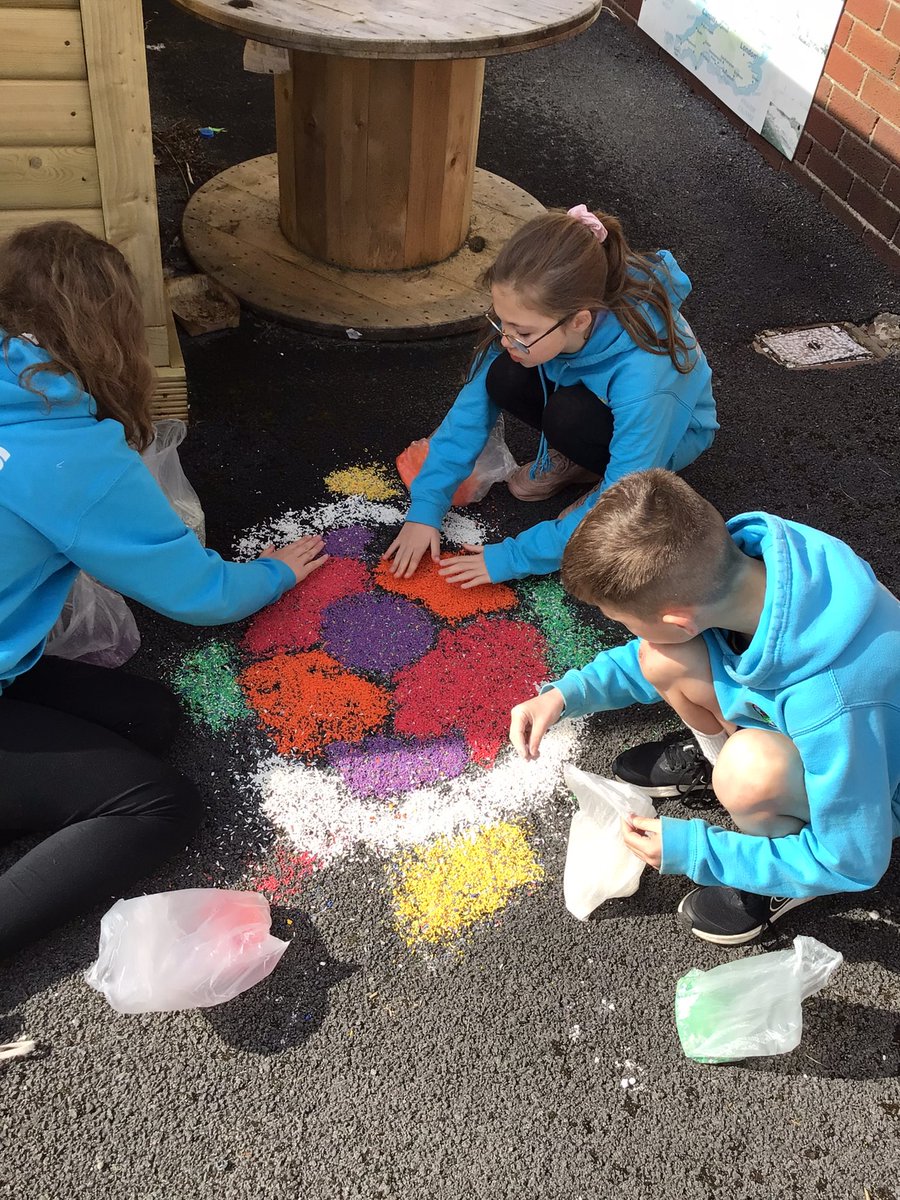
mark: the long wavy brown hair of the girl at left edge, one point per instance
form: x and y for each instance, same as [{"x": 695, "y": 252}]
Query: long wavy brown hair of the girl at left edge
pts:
[{"x": 77, "y": 297}]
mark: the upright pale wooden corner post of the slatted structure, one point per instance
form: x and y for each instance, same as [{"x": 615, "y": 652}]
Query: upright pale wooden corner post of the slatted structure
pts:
[{"x": 117, "y": 77}]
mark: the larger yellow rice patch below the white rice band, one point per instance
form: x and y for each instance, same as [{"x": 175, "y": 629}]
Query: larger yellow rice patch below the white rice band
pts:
[{"x": 449, "y": 886}]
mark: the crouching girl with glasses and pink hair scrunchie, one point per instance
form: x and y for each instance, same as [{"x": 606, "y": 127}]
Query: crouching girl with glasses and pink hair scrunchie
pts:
[{"x": 587, "y": 345}]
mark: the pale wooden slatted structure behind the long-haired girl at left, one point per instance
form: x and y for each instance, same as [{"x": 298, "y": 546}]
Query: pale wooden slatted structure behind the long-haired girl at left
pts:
[{"x": 76, "y": 142}]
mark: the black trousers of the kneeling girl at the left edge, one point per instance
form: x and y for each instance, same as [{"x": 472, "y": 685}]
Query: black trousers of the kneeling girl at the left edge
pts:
[{"x": 79, "y": 761}]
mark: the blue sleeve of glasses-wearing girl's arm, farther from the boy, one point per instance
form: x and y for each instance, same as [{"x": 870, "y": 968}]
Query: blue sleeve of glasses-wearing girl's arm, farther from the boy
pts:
[{"x": 454, "y": 448}]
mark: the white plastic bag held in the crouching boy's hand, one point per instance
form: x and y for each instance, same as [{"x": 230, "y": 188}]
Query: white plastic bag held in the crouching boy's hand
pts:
[{"x": 598, "y": 863}]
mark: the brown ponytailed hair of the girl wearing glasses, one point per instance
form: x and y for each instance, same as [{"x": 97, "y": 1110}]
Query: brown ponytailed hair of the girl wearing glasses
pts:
[{"x": 559, "y": 267}]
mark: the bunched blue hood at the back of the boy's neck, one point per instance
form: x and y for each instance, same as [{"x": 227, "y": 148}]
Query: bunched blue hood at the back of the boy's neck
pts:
[{"x": 819, "y": 597}]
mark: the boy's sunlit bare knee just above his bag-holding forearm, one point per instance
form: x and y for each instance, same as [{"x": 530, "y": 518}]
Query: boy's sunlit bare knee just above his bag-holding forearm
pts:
[{"x": 758, "y": 770}]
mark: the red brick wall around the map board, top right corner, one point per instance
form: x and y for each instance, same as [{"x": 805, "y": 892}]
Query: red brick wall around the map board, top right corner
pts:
[{"x": 850, "y": 149}]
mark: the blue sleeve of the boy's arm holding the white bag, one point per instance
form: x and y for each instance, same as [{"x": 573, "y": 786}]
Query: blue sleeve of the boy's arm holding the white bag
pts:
[{"x": 845, "y": 848}]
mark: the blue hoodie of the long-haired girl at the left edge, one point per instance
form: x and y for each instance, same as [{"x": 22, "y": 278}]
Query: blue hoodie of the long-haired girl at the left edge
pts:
[{"x": 75, "y": 496}]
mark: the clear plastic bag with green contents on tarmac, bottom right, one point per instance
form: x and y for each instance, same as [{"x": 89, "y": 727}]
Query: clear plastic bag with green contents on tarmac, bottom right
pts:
[{"x": 752, "y": 1007}]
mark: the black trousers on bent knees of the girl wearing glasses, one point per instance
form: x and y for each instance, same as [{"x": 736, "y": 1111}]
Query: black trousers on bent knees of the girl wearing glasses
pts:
[{"x": 574, "y": 421}]
